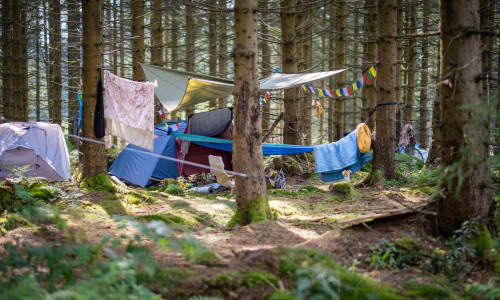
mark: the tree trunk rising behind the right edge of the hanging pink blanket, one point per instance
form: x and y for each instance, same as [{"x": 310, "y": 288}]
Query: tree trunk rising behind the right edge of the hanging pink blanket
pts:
[{"x": 138, "y": 49}]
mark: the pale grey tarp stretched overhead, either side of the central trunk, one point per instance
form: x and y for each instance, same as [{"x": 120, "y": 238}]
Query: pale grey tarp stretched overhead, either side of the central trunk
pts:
[{"x": 178, "y": 89}]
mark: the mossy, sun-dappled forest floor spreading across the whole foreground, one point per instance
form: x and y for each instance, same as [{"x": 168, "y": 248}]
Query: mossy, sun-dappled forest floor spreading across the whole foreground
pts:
[{"x": 310, "y": 251}]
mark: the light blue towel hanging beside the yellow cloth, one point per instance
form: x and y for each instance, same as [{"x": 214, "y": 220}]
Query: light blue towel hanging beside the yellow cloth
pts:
[{"x": 331, "y": 159}]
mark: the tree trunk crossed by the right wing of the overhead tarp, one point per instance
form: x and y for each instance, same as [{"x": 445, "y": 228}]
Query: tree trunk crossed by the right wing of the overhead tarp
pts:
[{"x": 291, "y": 127}]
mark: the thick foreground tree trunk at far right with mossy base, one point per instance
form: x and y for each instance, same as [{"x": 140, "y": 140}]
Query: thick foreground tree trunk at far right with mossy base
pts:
[{"x": 465, "y": 190}]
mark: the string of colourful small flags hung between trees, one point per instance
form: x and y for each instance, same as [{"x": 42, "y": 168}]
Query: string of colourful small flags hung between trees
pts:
[{"x": 343, "y": 92}]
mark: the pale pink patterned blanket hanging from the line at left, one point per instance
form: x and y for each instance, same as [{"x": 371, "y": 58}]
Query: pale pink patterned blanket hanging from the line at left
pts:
[{"x": 129, "y": 110}]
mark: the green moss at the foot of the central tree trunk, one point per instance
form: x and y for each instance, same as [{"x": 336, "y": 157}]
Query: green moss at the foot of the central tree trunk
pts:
[{"x": 256, "y": 210}]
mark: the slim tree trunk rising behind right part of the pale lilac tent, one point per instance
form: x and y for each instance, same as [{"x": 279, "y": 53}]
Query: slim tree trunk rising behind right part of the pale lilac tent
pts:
[{"x": 55, "y": 49}]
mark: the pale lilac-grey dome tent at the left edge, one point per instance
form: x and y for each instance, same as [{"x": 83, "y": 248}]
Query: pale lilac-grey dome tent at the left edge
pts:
[{"x": 39, "y": 146}]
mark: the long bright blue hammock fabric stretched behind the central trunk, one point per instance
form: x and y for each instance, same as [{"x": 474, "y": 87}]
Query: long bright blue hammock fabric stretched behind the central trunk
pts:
[{"x": 227, "y": 145}]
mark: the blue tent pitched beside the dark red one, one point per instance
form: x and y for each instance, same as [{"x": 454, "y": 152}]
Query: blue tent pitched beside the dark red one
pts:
[{"x": 136, "y": 165}]
